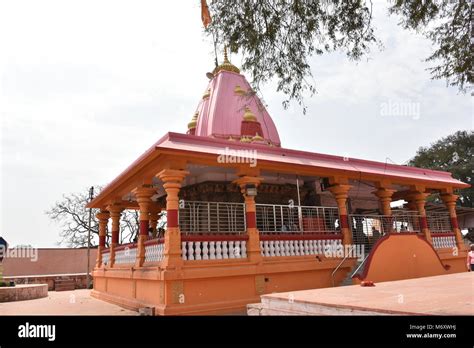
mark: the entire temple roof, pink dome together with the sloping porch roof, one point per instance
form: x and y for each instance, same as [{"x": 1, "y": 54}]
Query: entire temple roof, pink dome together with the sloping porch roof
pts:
[{"x": 230, "y": 115}]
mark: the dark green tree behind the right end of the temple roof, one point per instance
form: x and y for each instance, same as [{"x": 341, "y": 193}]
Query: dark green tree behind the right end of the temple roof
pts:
[{"x": 454, "y": 154}]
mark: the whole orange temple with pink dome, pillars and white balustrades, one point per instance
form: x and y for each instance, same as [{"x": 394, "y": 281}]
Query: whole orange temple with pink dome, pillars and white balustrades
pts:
[{"x": 246, "y": 216}]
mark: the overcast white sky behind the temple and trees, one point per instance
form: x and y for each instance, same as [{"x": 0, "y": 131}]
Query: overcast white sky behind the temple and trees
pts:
[{"x": 87, "y": 86}]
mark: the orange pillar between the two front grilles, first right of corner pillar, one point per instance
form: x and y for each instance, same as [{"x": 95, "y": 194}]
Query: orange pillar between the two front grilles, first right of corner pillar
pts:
[{"x": 253, "y": 243}]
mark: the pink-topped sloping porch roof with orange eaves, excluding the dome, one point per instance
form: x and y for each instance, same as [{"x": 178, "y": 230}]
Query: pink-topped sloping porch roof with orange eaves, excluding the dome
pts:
[{"x": 295, "y": 160}]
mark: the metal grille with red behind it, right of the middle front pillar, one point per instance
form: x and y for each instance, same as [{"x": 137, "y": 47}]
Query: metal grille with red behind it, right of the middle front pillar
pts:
[{"x": 284, "y": 218}]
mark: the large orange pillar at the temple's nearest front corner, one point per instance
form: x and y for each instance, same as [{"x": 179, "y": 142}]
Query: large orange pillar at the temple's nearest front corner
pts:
[{"x": 172, "y": 179}]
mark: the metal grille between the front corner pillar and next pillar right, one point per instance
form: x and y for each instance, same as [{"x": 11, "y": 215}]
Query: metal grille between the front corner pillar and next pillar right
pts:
[{"x": 212, "y": 217}]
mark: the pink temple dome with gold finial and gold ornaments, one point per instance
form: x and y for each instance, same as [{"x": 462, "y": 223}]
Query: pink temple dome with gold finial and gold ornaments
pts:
[{"x": 230, "y": 109}]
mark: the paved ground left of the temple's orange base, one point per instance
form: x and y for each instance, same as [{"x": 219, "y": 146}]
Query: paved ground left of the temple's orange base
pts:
[{"x": 77, "y": 302}]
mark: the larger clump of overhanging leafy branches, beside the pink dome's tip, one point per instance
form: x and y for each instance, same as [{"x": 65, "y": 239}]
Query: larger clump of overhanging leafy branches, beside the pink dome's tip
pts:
[{"x": 276, "y": 38}]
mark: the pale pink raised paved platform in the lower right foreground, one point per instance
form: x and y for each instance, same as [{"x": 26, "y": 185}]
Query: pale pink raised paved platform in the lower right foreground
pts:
[{"x": 451, "y": 294}]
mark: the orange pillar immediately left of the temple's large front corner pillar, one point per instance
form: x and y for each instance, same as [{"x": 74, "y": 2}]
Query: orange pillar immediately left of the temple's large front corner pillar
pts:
[{"x": 143, "y": 194}]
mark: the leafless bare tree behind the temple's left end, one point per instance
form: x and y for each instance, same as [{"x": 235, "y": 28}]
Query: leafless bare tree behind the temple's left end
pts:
[{"x": 71, "y": 213}]
